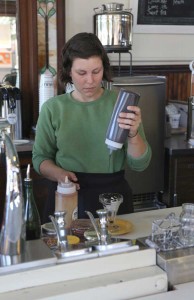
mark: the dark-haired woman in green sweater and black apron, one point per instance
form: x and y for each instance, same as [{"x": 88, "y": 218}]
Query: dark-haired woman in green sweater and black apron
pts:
[{"x": 71, "y": 130}]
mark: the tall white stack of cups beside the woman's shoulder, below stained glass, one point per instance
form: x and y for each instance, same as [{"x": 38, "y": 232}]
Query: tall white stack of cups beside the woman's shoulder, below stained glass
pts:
[{"x": 46, "y": 89}]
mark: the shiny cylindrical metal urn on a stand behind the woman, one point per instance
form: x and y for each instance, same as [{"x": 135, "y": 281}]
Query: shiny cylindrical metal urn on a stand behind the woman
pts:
[{"x": 113, "y": 26}]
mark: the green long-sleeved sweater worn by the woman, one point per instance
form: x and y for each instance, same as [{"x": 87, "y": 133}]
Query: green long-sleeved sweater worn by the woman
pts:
[{"x": 72, "y": 134}]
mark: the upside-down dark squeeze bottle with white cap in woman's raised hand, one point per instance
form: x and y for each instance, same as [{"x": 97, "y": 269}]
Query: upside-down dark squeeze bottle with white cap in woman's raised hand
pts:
[{"x": 116, "y": 136}]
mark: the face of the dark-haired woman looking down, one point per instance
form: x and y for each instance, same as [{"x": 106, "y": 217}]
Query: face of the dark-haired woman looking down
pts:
[{"x": 87, "y": 76}]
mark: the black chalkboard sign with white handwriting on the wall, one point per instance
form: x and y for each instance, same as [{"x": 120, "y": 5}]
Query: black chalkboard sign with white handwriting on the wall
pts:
[{"x": 165, "y": 12}]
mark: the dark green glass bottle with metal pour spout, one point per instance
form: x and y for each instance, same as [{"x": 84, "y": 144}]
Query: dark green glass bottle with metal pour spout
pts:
[{"x": 32, "y": 217}]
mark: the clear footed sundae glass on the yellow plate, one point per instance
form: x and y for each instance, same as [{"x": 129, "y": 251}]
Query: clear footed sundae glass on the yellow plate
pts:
[{"x": 111, "y": 202}]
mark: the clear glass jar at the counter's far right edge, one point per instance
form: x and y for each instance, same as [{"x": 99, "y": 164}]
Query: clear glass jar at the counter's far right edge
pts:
[{"x": 187, "y": 225}]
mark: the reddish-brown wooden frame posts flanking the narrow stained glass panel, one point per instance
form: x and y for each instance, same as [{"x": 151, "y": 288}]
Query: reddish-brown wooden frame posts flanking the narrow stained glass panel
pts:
[{"x": 28, "y": 49}]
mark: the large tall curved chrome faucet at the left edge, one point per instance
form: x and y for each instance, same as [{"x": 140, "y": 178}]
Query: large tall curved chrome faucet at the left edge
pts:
[{"x": 12, "y": 236}]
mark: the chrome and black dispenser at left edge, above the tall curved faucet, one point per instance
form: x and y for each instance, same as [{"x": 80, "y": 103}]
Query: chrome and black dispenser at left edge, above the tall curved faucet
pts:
[{"x": 10, "y": 109}]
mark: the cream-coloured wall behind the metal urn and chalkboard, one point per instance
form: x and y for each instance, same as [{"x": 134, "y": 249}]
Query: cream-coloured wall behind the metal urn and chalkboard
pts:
[{"x": 160, "y": 46}]
